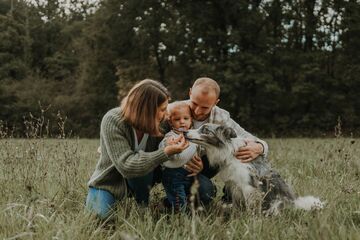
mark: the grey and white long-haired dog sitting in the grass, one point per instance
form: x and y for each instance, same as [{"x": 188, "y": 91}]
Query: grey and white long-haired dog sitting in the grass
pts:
[{"x": 253, "y": 185}]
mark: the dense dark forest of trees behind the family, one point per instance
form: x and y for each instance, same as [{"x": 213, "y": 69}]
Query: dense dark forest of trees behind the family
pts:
[{"x": 285, "y": 67}]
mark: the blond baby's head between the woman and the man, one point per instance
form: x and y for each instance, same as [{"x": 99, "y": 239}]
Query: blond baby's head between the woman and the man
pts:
[{"x": 179, "y": 115}]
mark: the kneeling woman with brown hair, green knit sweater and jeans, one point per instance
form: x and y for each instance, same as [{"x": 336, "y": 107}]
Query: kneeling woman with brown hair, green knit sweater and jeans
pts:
[{"x": 129, "y": 140}]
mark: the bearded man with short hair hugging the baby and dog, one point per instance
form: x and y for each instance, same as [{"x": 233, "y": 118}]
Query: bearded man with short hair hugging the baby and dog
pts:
[{"x": 204, "y": 96}]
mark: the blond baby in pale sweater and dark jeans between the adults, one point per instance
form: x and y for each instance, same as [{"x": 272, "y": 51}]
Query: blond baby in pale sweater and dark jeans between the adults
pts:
[{"x": 175, "y": 177}]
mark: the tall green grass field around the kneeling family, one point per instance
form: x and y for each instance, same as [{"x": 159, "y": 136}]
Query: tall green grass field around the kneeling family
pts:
[{"x": 43, "y": 189}]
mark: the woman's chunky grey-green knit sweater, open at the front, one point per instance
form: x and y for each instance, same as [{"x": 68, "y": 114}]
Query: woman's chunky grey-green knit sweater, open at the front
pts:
[{"x": 118, "y": 160}]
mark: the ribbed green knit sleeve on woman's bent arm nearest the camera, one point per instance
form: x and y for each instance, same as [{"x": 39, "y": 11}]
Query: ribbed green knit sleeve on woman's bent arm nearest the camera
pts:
[{"x": 128, "y": 162}]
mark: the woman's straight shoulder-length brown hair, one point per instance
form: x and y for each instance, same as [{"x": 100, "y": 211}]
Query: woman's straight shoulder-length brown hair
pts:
[{"x": 140, "y": 106}]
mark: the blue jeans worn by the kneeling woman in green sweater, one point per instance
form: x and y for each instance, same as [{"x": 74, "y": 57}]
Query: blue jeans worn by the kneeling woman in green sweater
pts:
[{"x": 102, "y": 202}]
